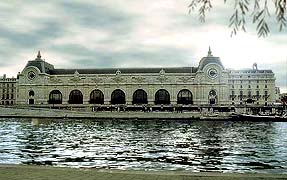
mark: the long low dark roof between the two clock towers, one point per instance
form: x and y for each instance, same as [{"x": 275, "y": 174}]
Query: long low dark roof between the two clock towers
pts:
[{"x": 123, "y": 70}]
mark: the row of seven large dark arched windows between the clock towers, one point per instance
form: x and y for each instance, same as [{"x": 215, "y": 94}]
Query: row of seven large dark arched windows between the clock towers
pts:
[{"x": 162, "y": 96}]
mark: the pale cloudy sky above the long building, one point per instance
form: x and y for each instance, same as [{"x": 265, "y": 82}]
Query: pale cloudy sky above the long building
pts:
[{"x": 131, "y": 33}]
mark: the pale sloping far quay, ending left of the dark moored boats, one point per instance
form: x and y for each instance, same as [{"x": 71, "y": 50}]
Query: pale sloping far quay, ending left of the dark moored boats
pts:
[{"x": 6, "y": 112}]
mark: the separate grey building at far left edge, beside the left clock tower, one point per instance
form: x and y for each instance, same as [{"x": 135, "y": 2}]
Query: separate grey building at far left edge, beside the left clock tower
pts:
[{"x": 7, "y": 90}]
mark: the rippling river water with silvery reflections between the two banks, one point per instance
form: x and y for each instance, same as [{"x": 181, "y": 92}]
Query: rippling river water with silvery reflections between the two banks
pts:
[{"x": 196, "y": 146}]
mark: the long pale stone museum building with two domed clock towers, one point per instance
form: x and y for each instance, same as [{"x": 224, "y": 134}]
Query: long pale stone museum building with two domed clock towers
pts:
[{"x": 210, "y": 83}]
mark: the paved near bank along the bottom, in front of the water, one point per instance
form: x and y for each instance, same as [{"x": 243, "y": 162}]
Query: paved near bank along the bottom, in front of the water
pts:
[{"x": 23, "y": 172}]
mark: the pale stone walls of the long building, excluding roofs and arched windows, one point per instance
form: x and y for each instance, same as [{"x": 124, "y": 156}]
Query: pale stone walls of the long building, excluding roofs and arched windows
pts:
[{"x": 211, "y": 77}]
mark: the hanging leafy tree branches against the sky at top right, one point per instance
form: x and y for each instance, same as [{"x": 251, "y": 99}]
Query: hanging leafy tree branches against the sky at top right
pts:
[{"x": 257, "y": 9}]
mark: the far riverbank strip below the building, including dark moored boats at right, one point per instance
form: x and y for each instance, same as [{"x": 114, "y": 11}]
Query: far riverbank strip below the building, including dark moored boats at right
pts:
[{"x": 46, "y": 113}]
